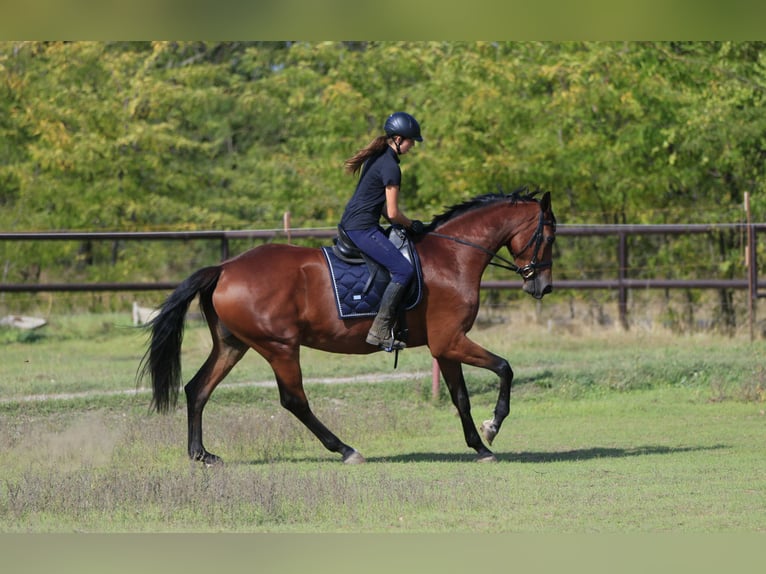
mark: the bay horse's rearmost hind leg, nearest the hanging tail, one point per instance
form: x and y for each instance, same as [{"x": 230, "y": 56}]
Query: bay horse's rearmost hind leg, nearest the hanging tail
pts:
[{"x": 227, "y": 351}]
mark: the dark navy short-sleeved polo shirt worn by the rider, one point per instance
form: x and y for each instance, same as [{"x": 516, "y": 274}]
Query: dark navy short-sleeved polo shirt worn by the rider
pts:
[{"x": 365, "y": 207}]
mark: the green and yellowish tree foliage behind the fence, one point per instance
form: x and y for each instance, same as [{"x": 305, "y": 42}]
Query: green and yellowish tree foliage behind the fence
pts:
[{"x": 198, "y": 135}]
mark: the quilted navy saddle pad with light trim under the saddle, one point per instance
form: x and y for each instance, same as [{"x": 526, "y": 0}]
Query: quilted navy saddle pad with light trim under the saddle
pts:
[{"x": 358, "y": 296}]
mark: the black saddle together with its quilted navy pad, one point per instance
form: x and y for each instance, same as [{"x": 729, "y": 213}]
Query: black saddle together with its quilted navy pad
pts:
[{"x": 358, "y": 281}]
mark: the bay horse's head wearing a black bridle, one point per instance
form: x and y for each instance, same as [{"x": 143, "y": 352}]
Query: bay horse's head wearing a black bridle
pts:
[{"x": 532, "y": 250}]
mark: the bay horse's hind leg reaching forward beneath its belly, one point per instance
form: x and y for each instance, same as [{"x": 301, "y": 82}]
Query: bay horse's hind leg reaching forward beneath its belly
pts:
[{"x": 287, "y": 370}]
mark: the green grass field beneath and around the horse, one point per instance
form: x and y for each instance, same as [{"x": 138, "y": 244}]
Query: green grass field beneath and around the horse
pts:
[{"x": 609, "y": 432}]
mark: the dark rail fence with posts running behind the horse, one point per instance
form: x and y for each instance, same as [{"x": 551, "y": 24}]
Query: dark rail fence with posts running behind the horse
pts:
[{"x": 622, "y": 283}]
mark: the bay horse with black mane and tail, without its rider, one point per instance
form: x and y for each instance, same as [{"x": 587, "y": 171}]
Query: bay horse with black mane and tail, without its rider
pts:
[{"x": 275, "y": 298}]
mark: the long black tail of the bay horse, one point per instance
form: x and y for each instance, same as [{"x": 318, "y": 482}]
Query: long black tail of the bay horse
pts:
[{"x": 162, "y": 360}]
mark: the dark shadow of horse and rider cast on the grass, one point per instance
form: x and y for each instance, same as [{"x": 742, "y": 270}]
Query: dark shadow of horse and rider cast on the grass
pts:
[{"x": 522, "y": 457}]
